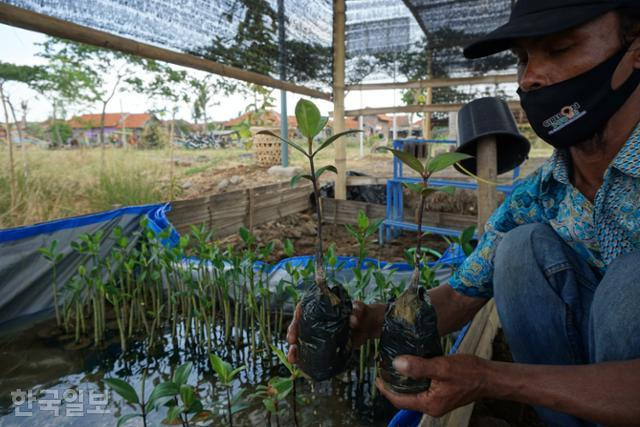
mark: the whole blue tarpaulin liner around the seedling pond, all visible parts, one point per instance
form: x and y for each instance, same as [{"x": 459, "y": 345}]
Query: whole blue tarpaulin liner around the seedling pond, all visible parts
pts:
[{"x": 25, "y": 275}]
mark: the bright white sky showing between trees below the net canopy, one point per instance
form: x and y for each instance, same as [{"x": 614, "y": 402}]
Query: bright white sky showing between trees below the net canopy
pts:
[{"x": 19, "y": 46}]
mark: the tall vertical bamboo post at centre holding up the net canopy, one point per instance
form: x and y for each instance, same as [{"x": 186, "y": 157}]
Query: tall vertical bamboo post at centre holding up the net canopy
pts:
[{"x": 338, "y": 96}]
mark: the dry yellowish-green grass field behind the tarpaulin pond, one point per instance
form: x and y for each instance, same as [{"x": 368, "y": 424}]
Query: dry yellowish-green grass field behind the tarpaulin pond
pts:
[{"x": 63, "y": 183}]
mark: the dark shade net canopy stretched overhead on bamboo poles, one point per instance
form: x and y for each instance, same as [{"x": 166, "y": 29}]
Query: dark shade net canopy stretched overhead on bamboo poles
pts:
[{"x": 403, "y": 40}]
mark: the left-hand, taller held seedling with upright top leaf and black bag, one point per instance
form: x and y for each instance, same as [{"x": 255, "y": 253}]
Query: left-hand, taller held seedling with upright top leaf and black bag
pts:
[{"x": 324, "y": 339}]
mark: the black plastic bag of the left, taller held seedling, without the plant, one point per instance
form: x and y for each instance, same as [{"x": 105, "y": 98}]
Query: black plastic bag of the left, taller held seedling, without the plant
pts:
[{"x": 324, "y": 337}]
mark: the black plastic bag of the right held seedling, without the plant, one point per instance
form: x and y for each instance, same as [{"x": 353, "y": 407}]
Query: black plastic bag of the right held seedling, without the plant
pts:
[{"x": 410, "y": 330}]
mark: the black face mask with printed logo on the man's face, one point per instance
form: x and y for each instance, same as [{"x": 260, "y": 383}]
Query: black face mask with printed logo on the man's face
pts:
[{"x": 572, "y": 111}]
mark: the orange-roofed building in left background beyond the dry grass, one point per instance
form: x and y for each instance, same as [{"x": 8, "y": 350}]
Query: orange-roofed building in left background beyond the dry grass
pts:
[{"x": 86, "y": 128}]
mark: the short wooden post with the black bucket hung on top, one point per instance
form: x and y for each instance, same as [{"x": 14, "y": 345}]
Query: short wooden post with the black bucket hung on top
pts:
[{"x": 487, "y": 161}]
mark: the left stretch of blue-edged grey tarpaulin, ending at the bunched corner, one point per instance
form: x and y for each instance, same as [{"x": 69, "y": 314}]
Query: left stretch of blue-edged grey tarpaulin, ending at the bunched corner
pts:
[{"x": 26, "y": 276}]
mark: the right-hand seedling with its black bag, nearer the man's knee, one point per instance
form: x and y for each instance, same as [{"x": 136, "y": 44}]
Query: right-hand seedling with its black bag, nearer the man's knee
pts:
[{"x": 410, "y": 323}]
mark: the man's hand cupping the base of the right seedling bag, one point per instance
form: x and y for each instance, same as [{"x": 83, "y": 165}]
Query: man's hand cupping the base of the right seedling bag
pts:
[{"x": 455, "y": 381}]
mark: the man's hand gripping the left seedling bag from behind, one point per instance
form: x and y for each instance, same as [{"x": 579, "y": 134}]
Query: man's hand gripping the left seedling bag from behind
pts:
[{"x": 365, "y": 321}]
